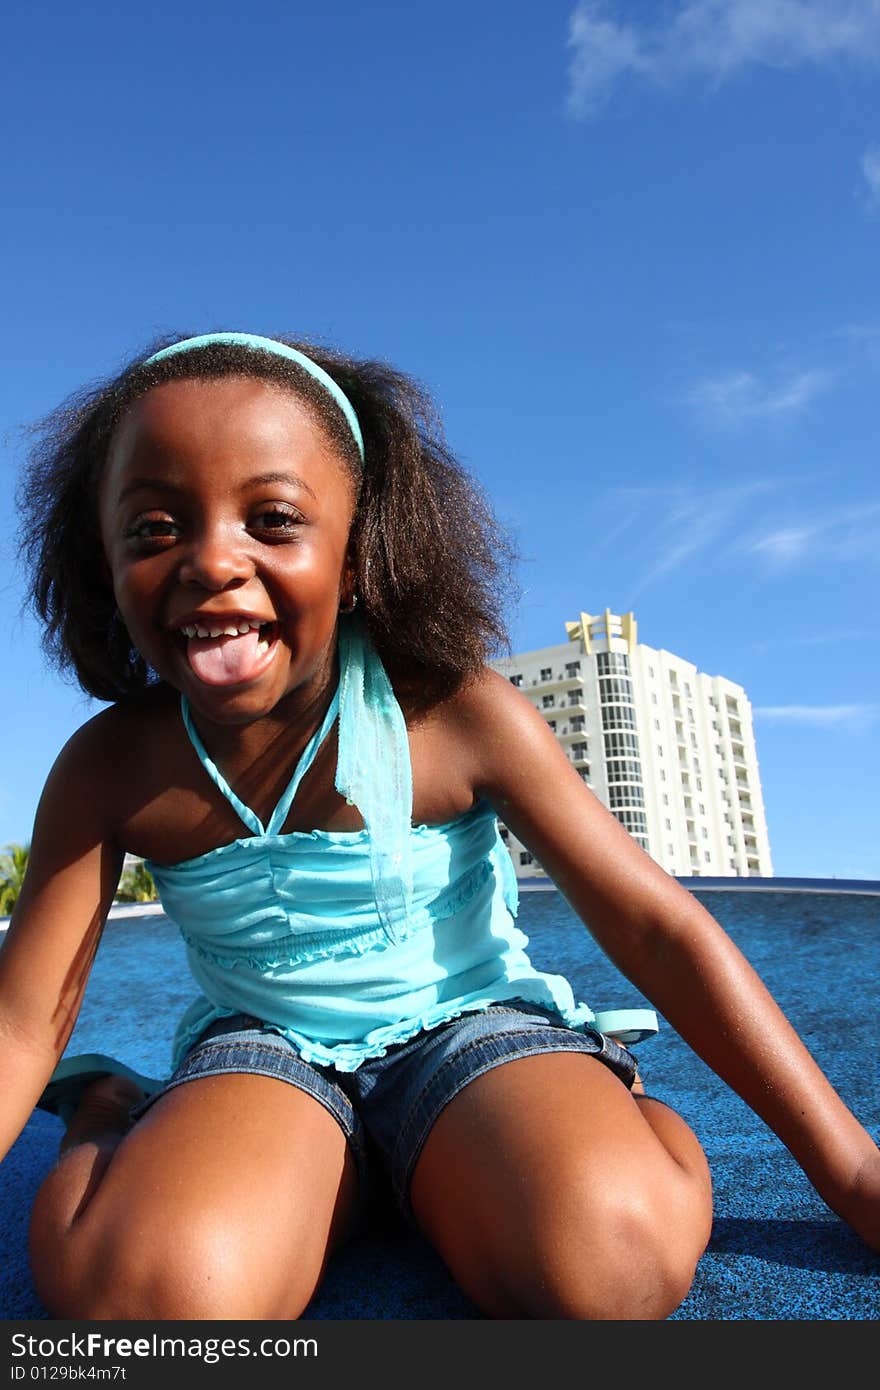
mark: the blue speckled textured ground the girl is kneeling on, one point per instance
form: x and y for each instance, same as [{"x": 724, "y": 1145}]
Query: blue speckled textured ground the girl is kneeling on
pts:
[{"x": 776, "y": 1252}]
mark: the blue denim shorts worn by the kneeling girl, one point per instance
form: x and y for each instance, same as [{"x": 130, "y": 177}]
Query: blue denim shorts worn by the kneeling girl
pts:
[{"x": 389, "y": 1106}]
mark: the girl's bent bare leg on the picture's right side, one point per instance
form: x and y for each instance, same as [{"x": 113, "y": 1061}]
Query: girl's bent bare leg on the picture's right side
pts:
[{"x": 551, "y": 1192}]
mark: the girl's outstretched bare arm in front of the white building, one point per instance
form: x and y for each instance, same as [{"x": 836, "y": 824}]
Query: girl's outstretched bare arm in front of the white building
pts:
[{"x": 662, "y": 940}]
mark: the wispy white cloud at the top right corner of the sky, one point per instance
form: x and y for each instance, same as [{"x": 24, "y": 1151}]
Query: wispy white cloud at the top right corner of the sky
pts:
[{"x": 711, "y": 40}]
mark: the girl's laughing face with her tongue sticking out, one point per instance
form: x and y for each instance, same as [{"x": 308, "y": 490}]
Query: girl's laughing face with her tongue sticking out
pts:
[{"x": 226, "y": 515}]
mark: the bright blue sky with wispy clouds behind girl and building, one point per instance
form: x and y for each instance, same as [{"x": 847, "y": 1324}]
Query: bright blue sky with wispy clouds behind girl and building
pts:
[{"x": 632, "y": 248}]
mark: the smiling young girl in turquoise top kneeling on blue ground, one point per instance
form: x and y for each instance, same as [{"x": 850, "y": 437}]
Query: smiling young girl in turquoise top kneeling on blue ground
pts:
[{"x": 265, "y": 559}]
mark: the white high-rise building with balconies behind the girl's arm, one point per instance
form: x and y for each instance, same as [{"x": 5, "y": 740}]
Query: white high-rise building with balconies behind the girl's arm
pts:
[{"x": 668, "y": 750}]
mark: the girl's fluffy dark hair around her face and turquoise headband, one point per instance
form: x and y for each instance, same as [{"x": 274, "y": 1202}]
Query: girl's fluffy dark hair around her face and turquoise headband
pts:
[{"x": 433, "y": 566}]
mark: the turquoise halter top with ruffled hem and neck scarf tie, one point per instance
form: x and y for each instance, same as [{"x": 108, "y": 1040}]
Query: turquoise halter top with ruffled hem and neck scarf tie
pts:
[{"x": 350, "y": 942}]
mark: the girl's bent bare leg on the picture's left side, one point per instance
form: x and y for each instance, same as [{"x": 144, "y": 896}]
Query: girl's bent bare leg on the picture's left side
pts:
[{"x": 223, "y": 1202}]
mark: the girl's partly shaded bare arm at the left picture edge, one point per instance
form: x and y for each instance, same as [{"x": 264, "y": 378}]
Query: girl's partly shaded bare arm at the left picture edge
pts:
[{"x": 45, "y": 960}]
